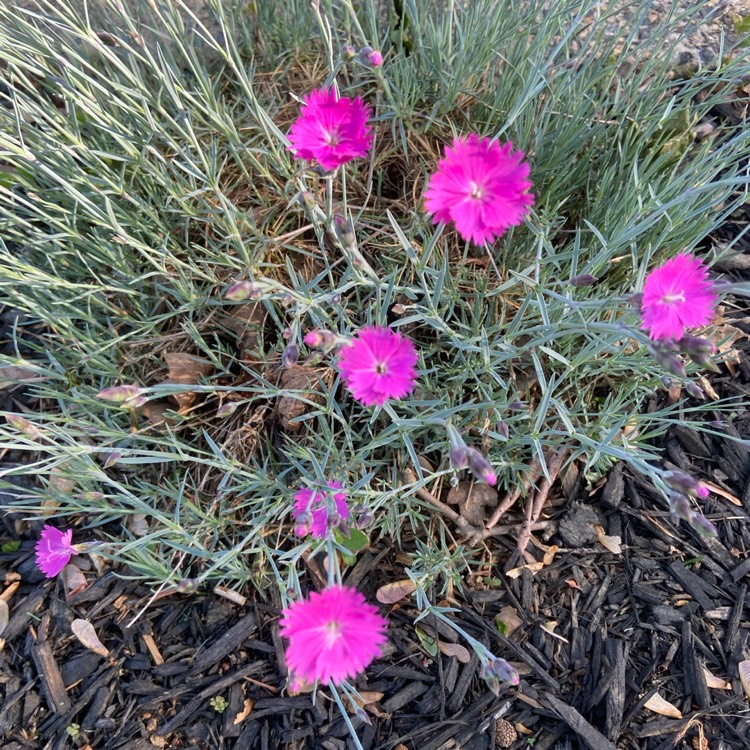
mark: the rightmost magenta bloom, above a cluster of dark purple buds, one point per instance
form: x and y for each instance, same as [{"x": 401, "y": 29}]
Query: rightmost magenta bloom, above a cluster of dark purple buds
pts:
[{"x": 677, "y": 295}]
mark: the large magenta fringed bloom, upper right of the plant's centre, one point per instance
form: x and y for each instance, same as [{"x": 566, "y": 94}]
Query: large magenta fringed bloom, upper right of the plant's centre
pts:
[{"x": 481, "y": 186}]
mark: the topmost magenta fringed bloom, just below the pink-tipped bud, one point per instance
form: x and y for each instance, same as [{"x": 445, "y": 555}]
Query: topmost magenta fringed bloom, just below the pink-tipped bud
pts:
[{"x": 331, "y": 131}]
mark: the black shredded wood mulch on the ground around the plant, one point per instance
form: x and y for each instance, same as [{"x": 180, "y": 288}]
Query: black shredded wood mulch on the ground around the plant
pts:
[{"x": 598, "y": 634}]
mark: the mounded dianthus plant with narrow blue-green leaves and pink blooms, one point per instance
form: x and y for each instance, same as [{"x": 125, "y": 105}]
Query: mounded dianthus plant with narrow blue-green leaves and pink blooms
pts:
[{"x": 243, "y": 343}]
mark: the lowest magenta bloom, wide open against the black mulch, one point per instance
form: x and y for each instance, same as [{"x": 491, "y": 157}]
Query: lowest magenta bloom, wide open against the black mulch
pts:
[{"x": 333, "y": 635}]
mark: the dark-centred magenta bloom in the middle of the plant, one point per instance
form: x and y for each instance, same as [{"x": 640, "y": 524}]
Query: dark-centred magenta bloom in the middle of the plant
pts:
[{"x": 378, "y": 365}]
